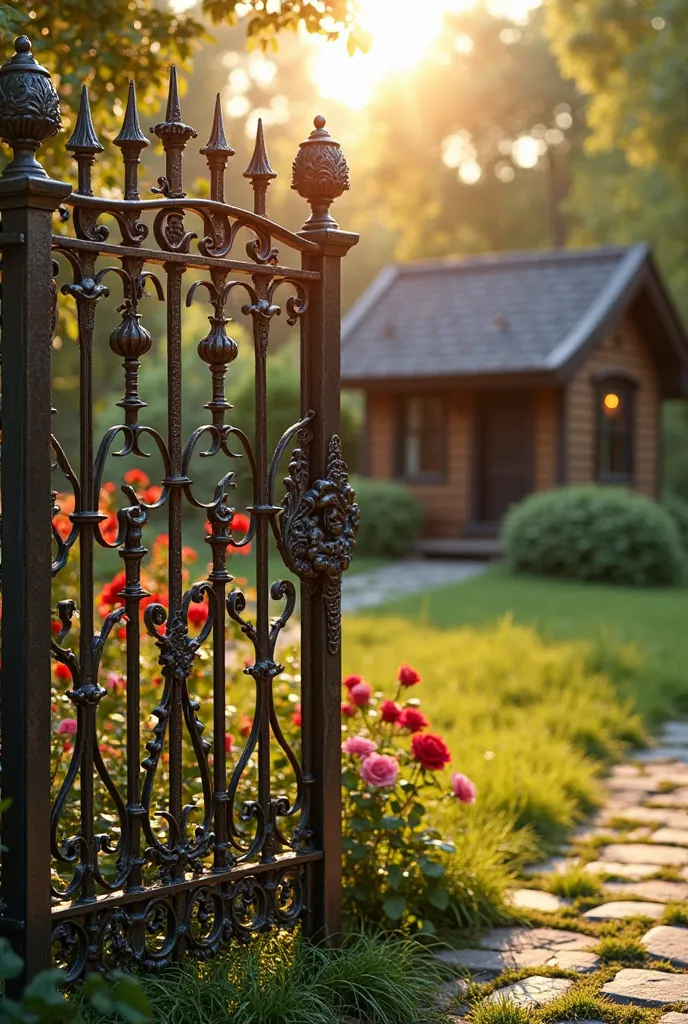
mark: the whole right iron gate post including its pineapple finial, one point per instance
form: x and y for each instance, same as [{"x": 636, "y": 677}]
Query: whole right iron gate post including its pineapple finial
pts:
[{"x": 321, "y": 175}]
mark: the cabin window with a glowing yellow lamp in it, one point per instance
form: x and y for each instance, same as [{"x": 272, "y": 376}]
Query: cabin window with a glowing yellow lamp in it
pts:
[{"x": 616, "y": 401}]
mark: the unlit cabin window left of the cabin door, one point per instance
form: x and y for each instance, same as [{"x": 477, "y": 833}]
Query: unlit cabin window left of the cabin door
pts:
[{"x": 421, "y": 442}]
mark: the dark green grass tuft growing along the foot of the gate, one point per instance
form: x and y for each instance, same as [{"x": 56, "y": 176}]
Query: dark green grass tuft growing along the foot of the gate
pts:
[{"x": 389, "y": 980}]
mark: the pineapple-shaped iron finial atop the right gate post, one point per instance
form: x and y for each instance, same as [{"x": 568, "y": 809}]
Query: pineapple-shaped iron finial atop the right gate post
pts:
[{"x": 320, "y": 174}]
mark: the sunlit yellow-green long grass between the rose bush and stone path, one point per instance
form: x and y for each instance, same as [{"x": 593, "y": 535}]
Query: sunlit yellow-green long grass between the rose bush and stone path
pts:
[{"x": 532, "y": 723}]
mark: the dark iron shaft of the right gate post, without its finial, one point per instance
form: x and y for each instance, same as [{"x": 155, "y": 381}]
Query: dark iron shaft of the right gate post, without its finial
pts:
[{"x": 321, "y": 669}]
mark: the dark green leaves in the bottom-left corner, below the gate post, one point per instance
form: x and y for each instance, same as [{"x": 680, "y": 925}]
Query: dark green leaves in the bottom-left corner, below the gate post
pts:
[{"x": 44, "y": 1003}]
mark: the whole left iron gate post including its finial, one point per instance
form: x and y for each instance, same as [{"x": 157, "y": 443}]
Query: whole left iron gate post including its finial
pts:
[{"x": 28, "y": 201}]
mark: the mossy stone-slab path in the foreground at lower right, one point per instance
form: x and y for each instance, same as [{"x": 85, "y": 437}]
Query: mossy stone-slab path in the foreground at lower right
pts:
[{"x": 626, "y": 945}]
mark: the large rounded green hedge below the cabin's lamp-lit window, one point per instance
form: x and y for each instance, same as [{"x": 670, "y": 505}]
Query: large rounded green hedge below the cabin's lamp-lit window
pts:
[{"x": 608, "y": 535}]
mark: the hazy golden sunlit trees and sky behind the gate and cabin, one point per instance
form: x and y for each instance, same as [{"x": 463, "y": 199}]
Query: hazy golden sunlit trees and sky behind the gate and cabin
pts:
[{"x": 469, "y": 127}]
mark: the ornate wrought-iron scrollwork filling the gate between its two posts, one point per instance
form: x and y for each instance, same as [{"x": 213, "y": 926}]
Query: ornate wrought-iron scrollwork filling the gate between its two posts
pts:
[{"x": 221, "y": 831}]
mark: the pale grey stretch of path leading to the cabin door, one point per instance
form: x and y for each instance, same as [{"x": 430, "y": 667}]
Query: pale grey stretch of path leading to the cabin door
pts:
[{"x": 365, "y": 590}]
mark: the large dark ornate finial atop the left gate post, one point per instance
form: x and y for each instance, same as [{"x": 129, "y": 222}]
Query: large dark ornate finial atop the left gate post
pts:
[{"x": 29, "y": 110}]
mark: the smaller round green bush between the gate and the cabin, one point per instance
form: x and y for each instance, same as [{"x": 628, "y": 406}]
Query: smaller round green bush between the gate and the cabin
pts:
[{"x": 391, "y": 518}]
